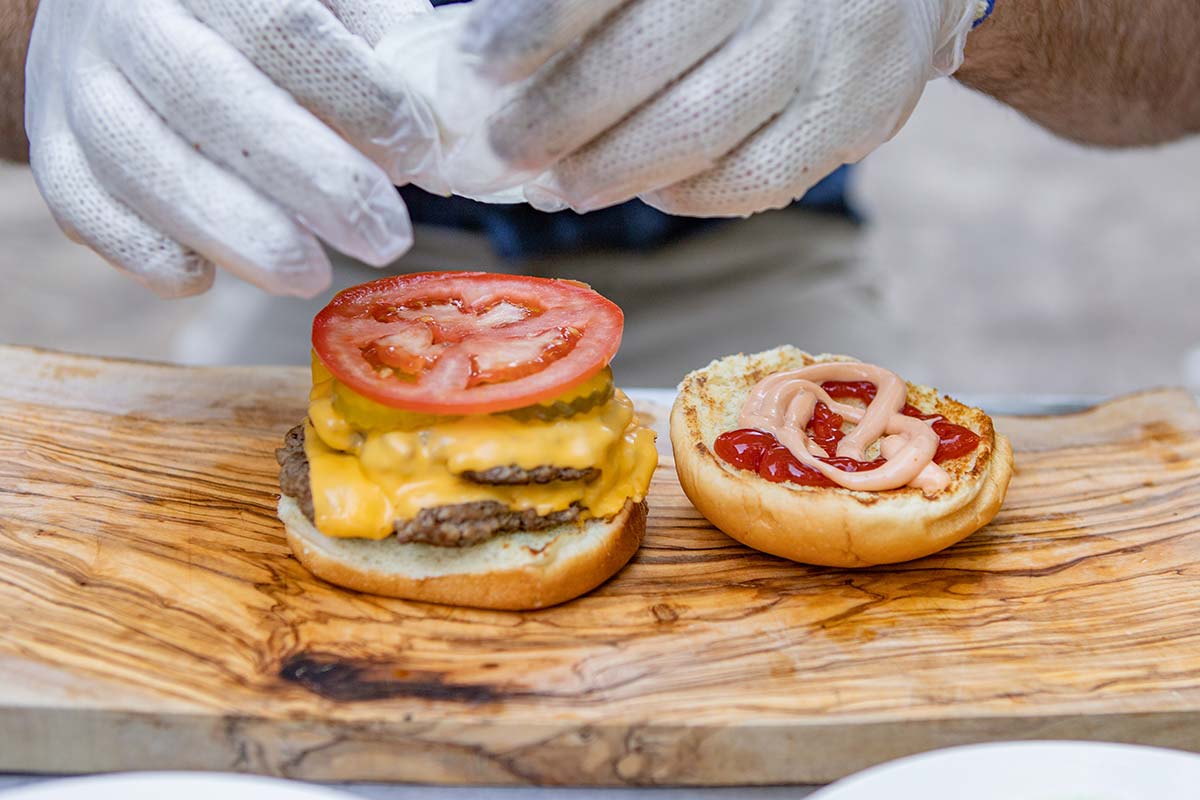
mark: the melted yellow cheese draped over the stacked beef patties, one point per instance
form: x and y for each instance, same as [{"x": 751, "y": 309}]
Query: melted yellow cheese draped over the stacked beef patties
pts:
[{"x": 365, "y": 477}]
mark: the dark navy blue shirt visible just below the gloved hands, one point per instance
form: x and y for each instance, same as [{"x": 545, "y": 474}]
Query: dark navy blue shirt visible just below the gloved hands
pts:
[{"x": 521, "y": 232}]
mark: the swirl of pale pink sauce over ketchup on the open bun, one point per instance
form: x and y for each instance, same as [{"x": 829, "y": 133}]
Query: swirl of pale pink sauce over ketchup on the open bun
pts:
[{"x": 783, "y": 406}]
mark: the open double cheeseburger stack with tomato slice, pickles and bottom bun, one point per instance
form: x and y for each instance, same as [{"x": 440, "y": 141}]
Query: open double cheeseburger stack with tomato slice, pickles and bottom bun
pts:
[{"x": 465, "y": 443}]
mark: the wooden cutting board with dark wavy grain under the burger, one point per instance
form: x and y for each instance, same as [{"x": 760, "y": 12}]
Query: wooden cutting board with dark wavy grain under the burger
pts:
[{"x": 153, "y": 618}]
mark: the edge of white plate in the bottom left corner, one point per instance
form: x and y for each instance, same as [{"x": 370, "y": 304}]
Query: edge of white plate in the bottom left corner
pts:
[{"x": 173, "y": 786}]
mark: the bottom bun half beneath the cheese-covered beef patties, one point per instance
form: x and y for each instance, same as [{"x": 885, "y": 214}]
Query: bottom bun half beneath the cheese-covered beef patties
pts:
[{"x": 514, "y": 572}]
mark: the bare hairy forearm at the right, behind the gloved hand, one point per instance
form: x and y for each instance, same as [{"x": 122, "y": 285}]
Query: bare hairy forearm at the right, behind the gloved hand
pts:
[{"x": 1107, "y": 73}]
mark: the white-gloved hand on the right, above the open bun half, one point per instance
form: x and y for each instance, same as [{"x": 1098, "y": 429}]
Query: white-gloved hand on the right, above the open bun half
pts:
[{"x": 701, "y": 107}]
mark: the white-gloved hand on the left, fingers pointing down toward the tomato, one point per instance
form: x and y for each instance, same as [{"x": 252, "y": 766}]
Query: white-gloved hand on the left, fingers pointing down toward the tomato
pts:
[{"x": 177, "y": 136}]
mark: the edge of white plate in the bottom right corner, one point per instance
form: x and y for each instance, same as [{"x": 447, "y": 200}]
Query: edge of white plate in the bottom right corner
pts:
[{"x": 1029, "y": 771}]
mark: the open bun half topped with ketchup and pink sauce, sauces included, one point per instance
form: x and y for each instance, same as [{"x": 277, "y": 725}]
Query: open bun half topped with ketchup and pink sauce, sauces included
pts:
[{"x": 829, "y": 461}]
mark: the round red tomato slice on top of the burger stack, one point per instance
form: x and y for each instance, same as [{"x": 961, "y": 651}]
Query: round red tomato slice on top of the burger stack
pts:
[{"x": 466, "y": 342}]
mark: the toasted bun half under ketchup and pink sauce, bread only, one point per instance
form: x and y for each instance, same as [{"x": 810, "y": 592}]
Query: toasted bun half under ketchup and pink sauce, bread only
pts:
[{"x": 832, "y": 527}]
